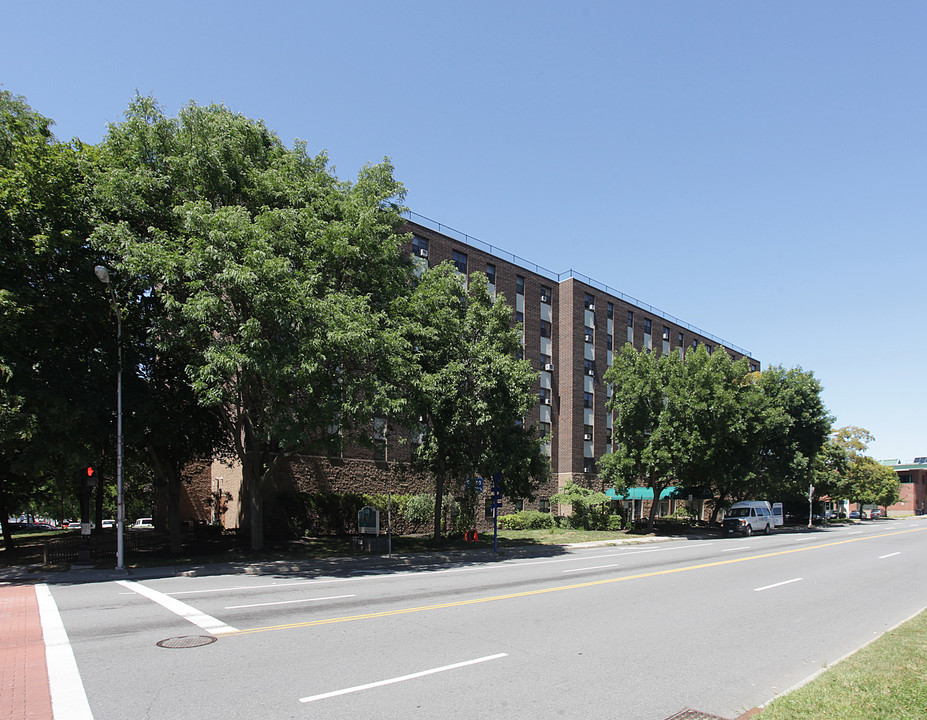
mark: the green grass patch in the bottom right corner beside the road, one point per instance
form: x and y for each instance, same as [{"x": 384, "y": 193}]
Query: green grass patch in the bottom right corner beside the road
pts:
[{"x": 886, "y": 680}]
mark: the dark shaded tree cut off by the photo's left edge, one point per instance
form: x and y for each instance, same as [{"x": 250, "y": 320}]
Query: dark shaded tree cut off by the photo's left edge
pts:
[{"x": 55, "y": 384}]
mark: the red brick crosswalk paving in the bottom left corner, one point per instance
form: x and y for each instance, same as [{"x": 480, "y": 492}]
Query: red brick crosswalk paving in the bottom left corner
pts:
[{"x": 23, "y": 673}]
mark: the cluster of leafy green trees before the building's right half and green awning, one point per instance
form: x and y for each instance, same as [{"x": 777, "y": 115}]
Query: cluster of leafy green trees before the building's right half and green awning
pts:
[{"x": 707, "y": 422}]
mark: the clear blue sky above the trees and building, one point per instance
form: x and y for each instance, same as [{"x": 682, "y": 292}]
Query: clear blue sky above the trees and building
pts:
[{"x": 757, "y": 169}]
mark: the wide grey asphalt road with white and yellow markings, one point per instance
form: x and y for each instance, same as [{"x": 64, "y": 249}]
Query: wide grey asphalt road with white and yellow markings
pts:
[{"x": 634, "y": 632}]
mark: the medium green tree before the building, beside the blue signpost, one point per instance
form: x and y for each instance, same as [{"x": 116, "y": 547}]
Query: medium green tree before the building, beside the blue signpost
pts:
[{"x": 468, "y": 391}]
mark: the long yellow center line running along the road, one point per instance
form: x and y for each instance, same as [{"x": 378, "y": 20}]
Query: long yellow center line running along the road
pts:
[{"x": 559, "y": 588}]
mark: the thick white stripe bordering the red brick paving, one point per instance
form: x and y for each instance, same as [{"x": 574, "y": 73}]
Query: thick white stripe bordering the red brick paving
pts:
[{"x": 69, "y": 700}]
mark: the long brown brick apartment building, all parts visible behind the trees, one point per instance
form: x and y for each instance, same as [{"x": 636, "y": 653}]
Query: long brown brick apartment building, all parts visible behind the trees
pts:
[{"x": 572, "y": 325}]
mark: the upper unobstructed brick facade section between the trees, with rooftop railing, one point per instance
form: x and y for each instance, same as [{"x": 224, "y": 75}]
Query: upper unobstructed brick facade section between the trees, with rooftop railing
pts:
[{"x": 572, "y": 326}]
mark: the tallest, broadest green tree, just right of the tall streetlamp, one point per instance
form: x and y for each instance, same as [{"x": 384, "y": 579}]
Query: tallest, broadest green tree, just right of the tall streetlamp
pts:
[{"x": 275, "y": 275}]
